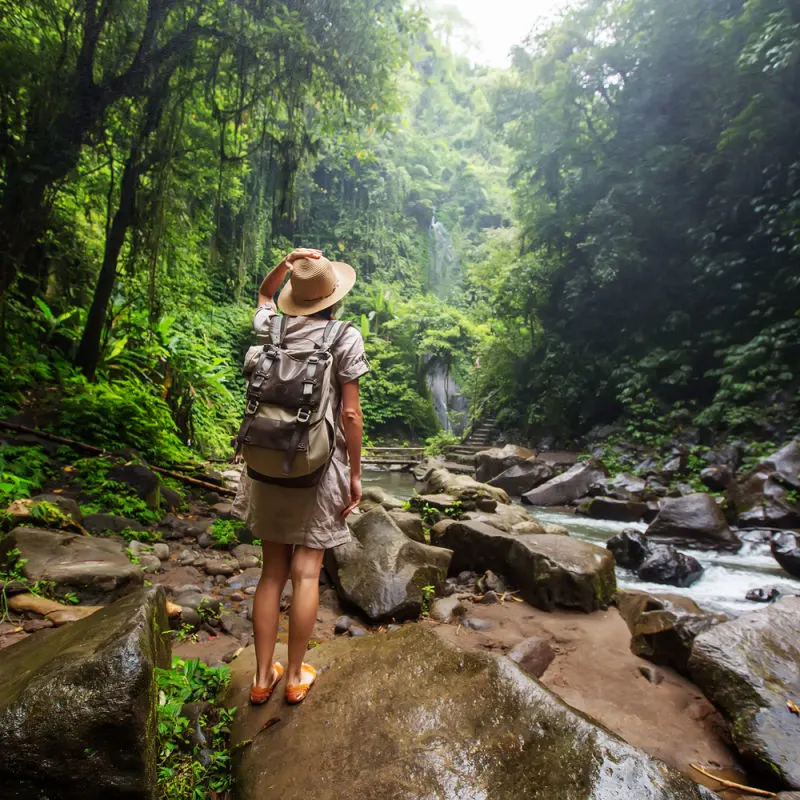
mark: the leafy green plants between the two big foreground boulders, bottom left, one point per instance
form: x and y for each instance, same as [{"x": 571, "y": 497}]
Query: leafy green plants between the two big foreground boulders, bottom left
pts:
[{"x": 181, "y": 772}]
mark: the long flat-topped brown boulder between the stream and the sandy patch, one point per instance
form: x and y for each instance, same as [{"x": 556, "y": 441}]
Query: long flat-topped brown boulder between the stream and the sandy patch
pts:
[{"x": 549, "y": 570}]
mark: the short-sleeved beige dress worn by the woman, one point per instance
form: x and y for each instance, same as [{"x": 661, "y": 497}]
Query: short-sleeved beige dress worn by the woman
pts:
[{"x": 312, "y": 516}]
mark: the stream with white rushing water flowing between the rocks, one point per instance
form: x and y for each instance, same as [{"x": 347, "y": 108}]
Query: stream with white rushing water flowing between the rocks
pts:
[{"x": 722, "y": 588}]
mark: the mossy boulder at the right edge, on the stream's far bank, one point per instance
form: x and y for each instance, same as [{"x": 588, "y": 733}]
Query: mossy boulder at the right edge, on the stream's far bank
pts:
[{"x": 766, "y": 497}]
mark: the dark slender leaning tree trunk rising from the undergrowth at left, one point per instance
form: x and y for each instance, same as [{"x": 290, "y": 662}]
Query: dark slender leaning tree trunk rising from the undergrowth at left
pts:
[{"x": 89, "y": 348}]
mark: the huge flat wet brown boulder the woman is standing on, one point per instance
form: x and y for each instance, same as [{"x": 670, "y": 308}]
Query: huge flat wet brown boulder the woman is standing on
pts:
[{"x": 469, "y": 725}]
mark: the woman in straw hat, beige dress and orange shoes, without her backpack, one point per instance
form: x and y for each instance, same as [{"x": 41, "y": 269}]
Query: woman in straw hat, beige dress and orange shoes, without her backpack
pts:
[{"x": 296, "y": 526}]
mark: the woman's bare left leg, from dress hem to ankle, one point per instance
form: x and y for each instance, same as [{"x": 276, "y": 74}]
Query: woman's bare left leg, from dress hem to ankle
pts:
[{"x": 267, "y": 606}]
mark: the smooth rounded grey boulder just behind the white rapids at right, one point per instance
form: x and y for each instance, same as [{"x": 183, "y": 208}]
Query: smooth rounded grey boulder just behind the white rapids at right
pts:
[{"x": 695, "y": 518}]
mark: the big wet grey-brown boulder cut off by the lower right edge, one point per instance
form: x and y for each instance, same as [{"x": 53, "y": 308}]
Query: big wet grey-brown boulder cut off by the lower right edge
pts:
[{"x": 750, "y": 669}]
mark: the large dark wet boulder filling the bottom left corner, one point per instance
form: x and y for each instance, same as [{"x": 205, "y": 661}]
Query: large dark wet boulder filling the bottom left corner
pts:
[{"x": 78, "y": 705}]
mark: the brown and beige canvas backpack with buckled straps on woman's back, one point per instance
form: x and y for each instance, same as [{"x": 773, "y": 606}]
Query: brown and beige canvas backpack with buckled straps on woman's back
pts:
[{"x": 288, "y": 433}]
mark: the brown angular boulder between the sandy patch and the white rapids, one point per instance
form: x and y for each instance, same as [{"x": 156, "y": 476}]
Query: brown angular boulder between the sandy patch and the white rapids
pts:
[{"x": 663, "y": 626}]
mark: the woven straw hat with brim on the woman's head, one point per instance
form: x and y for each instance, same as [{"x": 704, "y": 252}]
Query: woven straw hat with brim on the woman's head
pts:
[{"x": 315, "y": 284}]
